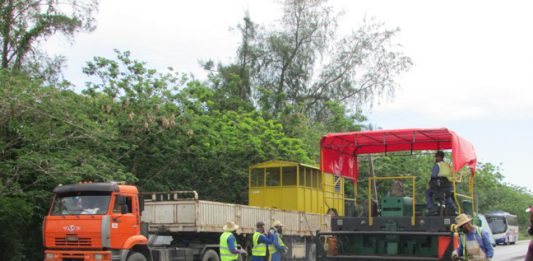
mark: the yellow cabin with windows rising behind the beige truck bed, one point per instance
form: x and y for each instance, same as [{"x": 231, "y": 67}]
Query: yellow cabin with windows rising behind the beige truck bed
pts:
[{"x": 295, "y": 186}]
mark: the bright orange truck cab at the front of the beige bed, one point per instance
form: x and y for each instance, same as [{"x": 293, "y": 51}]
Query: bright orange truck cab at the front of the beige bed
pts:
[{"x": 94, "y": 221}]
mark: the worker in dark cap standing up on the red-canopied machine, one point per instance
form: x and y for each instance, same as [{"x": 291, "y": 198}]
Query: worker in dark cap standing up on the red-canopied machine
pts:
[{"x": 441, "y": 170}]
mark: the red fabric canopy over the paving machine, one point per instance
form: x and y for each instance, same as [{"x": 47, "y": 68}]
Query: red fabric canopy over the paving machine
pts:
[{"x": 339, "y": 150}]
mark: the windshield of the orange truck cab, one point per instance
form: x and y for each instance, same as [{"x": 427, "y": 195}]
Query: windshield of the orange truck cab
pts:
[{"x": 81, "y": 204}]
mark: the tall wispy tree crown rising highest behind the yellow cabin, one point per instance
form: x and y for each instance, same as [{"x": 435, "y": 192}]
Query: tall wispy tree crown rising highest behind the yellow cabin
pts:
[{"x": 302, "y": 64}]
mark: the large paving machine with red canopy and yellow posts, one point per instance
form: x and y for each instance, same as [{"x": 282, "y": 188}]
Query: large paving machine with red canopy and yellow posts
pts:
[{"x": 395, "y": 227}]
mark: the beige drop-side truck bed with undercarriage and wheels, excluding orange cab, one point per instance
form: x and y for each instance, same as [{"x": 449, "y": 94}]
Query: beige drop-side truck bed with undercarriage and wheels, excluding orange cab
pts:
[{"x": 199, "y": 221}]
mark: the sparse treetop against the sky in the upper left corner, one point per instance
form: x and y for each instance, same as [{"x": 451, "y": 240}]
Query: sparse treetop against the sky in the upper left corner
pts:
[{"x": 24, "y": 23}]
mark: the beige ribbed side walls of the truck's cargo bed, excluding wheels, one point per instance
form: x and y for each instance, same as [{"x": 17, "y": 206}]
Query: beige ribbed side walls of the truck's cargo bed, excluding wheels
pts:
[{"x": 209, "y": 216}]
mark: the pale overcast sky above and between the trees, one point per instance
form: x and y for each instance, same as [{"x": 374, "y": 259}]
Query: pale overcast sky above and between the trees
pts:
[{"x": 472, "y": 72}]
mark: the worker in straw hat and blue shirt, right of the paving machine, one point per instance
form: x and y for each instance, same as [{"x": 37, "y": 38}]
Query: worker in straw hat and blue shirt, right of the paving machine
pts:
[{"x": 474, "y": 243}]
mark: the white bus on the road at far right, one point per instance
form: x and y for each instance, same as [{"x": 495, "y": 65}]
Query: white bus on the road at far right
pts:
[{"x": 504, "y": 227}]
